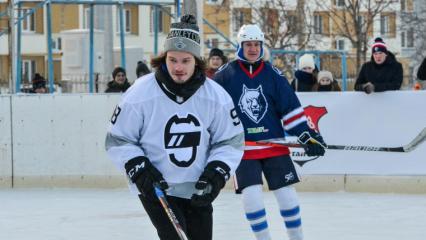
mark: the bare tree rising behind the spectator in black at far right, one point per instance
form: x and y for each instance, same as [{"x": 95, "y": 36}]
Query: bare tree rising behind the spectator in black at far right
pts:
[{"x": 353, "y": 20}]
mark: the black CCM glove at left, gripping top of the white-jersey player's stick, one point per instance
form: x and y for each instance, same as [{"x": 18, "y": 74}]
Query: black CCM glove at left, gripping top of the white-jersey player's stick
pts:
[{"x": 142, "y": 173}]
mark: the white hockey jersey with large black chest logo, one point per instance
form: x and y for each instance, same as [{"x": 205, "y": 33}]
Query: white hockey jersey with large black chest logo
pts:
[{"x": 178, "y": 138}]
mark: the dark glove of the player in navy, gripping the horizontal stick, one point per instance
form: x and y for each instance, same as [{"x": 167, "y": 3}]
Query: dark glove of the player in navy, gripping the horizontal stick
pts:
[{"x": 313, "y": 143}]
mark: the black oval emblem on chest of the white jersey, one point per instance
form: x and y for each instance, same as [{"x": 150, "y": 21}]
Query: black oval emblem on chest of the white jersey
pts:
[{"x": 182, "y": 137}]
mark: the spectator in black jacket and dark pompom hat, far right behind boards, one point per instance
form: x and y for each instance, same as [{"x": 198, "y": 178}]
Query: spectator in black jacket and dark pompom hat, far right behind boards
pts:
[{"x": 383, "y": 72}]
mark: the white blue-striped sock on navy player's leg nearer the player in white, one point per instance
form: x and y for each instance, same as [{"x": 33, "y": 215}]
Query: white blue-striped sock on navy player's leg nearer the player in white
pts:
[{"x": 255, "y": 211}]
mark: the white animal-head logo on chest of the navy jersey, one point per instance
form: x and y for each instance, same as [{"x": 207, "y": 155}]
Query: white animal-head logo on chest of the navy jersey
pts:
[{"x": 253, "y": 103}]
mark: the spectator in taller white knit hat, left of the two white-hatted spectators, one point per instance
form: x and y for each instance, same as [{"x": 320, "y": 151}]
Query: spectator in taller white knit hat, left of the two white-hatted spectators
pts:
[{"x": 305, "y": 77}]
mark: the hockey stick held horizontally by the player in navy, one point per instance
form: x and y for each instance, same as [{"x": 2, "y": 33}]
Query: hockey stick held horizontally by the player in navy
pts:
[{"x": 406, "y": 148}]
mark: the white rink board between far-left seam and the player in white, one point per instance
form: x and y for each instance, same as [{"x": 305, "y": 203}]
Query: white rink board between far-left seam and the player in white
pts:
[{"x": 61, "y": 138}]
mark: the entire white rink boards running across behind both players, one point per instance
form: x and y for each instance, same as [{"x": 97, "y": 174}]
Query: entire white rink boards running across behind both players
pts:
[{"x": 58, "y": 141}]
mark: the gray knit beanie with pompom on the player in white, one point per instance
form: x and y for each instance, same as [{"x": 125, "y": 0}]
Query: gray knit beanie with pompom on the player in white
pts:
[{"x": 184, "y": 36}]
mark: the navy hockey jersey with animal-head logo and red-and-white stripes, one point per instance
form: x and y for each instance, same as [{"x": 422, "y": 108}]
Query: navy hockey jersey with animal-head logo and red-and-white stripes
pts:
[{"x": 266, "y": 104}]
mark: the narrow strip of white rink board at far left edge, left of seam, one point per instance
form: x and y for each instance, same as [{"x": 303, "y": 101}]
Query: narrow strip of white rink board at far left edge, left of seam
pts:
[{"x": 5, "y": 143}]
